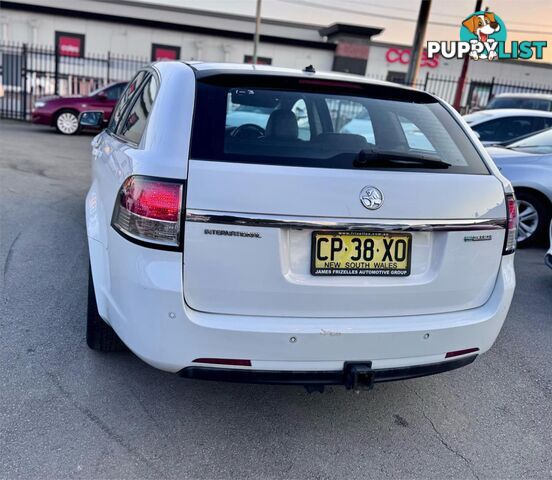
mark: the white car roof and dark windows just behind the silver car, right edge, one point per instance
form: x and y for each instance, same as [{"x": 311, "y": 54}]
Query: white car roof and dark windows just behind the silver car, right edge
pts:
[{"x": 505, "y": 125}]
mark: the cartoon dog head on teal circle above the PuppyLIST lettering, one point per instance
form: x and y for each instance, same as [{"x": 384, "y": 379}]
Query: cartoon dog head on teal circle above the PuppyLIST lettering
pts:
[{"x": 486, "y": 29}]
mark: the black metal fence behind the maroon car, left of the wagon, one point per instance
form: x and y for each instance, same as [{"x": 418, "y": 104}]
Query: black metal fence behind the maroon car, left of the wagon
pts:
[{"x": 29, "y": 72}]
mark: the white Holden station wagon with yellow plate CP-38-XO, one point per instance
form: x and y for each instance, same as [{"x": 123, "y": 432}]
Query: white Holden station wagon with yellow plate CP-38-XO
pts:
[{"x": 237, "y": 232}]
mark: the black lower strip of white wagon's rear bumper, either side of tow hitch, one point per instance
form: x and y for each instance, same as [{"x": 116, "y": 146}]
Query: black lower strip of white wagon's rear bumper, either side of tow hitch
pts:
[{"x": 321, "y": 377}]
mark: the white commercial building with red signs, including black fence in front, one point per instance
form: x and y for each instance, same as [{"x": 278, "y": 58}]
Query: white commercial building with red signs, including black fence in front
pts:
[{"x": 98, "y": 41}]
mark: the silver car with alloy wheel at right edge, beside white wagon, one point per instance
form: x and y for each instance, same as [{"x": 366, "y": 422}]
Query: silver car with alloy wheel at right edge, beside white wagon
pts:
[{"x": 527, "y": 163}]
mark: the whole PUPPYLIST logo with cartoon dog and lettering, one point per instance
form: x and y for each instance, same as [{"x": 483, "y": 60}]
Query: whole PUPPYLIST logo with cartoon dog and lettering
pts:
[{"x": 483, "y": 36}]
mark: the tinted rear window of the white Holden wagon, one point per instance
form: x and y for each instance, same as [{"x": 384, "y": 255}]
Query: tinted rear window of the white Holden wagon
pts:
[{"x": 324, "y": 124}]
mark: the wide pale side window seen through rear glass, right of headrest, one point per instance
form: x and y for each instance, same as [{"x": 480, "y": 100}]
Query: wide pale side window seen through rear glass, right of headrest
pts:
[{"x": 350, "y": 117}]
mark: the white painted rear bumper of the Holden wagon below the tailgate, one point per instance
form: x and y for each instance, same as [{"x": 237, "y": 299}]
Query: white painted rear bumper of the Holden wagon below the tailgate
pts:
[{"x": 139, "y": 293}]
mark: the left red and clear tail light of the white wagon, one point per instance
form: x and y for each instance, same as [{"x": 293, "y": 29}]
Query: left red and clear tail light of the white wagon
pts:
[{"x": 149, "y": 210}]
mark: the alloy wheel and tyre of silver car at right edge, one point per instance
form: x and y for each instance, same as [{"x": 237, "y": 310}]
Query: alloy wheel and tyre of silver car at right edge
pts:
[{"x": 534, "y": 218}]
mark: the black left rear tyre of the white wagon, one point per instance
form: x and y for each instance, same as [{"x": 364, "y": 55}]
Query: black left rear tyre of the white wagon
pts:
[{"x": 99, "y": 335}]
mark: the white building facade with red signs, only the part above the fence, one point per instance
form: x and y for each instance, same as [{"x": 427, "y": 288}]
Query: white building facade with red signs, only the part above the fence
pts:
[{"x": 154, "y": 31}]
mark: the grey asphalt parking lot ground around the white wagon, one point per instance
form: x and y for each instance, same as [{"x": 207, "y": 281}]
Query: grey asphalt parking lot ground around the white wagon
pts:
[{"x": 66, "y": 411}]
